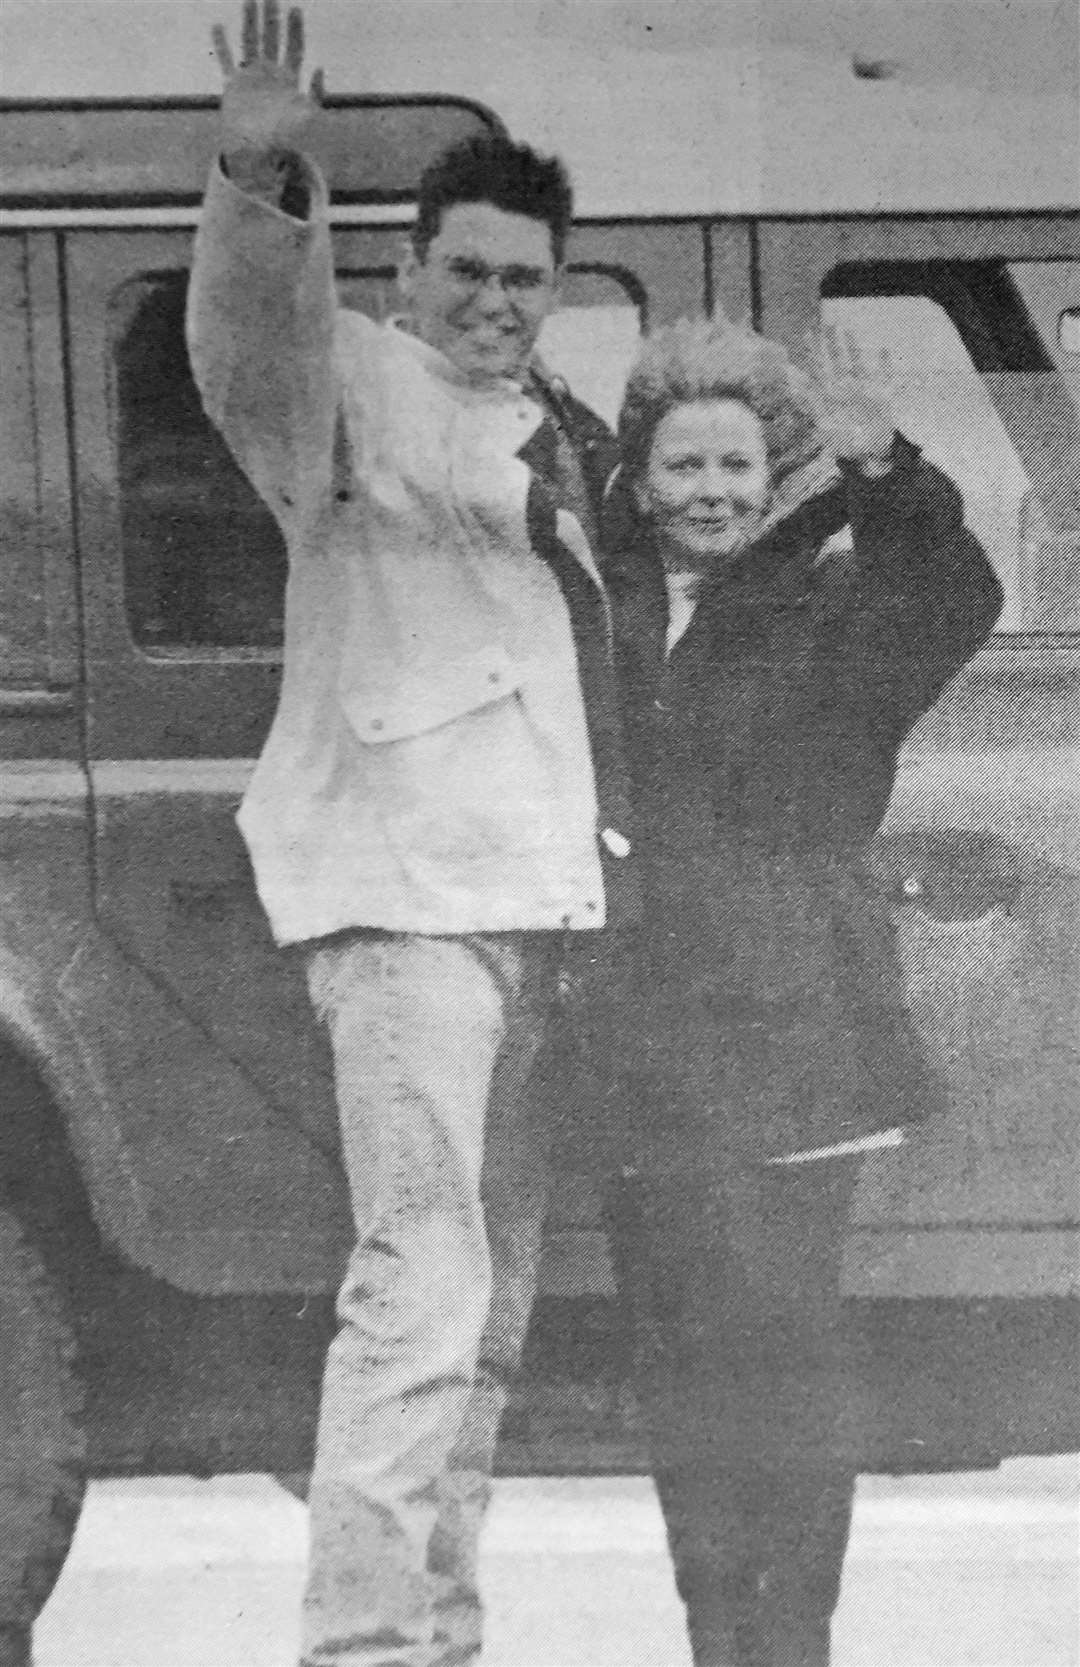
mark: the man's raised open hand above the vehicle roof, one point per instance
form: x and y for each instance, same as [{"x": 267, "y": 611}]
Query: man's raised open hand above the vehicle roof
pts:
[{"x": 264, "y": 111}]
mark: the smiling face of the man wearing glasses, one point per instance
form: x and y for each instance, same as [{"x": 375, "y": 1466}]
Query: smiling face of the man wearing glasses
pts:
[{"x": 482, "y": 289}]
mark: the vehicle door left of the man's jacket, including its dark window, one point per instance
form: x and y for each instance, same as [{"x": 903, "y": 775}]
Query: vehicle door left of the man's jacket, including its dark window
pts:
[{"x": 182, "y": 599}]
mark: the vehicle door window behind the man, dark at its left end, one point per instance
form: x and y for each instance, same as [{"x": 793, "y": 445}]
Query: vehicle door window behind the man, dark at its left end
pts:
[{"x": 204, "y": 561}]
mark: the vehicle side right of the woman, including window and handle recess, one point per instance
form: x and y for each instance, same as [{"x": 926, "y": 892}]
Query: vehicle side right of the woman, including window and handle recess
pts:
[{"x": 982, "y": 846}]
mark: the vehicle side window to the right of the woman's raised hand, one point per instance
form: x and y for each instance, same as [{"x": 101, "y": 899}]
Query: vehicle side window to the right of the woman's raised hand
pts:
[{"x": 982, "y": 384}]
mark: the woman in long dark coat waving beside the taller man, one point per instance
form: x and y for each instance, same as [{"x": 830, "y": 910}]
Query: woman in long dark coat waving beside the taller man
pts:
[{"x": 792, "y": 588}]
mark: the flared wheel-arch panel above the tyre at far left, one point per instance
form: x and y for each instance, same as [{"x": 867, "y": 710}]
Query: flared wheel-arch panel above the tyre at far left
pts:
[{"x": 192, "y": 1173}]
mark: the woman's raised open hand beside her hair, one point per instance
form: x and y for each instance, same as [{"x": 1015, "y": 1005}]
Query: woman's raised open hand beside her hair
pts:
[{"x": 856, "y": 409}]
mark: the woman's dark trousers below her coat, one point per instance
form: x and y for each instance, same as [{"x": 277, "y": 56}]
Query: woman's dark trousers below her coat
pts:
[{"x": 747, "y": 1391}]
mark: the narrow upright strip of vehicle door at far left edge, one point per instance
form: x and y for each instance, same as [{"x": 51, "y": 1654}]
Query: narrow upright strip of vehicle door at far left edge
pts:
[{"x": 44, "y": 838}]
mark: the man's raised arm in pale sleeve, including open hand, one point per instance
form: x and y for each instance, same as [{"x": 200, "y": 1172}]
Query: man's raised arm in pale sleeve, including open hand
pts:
[{"x": 262, "y": 301}]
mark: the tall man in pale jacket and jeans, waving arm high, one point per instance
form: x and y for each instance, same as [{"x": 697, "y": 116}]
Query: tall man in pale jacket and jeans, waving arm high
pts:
[{"x": 441, "y": 801}]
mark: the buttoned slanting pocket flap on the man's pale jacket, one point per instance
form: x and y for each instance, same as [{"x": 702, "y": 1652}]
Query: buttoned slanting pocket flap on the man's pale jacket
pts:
[{"x": 421, "y": 701}]
